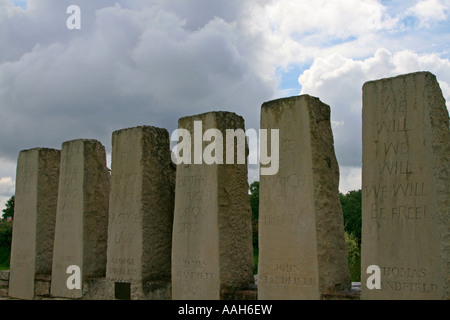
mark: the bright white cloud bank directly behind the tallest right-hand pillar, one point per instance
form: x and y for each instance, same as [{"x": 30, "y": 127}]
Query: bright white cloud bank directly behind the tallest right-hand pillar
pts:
[{"x": 338, "y": 82}]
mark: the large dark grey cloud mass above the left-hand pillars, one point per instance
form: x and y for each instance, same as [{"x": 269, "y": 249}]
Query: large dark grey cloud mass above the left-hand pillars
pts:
[{"x": 131, "y": 64}]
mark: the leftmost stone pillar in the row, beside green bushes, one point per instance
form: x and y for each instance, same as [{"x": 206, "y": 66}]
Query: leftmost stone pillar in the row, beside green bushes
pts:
[{"x": 34, "y": 219}]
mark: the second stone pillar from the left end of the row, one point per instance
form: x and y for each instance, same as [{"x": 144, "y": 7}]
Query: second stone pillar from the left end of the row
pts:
[{"x": 82, "y": 214}]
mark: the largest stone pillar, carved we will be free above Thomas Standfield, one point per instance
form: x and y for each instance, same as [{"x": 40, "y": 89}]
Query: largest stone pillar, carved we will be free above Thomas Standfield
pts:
[{"x": 406, "y": 190}]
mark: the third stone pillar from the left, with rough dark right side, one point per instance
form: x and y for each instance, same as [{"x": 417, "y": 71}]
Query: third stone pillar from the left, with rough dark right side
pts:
[{"x": 141, "y": 208}]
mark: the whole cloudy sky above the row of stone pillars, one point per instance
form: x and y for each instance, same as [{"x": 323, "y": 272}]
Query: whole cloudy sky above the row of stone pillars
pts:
[{"x": 136, "y": 62}]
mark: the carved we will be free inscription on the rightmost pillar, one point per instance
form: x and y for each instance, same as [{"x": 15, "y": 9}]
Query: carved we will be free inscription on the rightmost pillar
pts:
[{"x": 399, "y": 177}]
